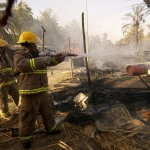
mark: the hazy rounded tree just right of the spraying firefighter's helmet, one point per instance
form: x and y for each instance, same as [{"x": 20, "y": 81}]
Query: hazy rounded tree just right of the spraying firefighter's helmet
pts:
[{"x": 54, "y": 34}]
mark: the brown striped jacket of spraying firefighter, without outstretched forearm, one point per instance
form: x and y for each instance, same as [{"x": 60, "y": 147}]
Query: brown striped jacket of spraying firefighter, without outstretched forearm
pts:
[{"x": 33, "y": 78}]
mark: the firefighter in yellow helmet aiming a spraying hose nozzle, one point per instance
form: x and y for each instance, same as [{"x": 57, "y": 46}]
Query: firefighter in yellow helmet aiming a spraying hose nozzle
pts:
[{"x": 33, "y": 87}]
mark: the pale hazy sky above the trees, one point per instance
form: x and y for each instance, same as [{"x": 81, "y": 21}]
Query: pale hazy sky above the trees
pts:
[{"x": 103, "y": 15}]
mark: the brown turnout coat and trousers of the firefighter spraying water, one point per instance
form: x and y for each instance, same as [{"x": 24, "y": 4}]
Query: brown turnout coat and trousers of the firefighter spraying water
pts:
[{"x": 33, "y": 87}]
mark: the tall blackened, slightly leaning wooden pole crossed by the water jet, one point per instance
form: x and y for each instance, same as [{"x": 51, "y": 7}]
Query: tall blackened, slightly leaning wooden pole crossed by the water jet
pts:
[{"x": 84, "y": 45}]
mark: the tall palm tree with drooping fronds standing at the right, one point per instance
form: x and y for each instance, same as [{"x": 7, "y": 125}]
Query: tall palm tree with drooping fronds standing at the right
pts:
[{"x": 136, "y": 20}]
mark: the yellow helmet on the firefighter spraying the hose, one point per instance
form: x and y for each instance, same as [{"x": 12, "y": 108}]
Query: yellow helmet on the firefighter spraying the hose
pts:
[{"x": 28, "y": 37}]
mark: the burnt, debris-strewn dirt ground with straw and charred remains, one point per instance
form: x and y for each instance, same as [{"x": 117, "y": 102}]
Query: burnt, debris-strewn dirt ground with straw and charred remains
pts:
[{"x": 116, "y": 116}]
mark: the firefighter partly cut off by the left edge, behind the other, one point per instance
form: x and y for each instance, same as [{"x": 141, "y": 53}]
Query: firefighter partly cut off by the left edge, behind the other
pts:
[{"x": 8, "y": 85}]
